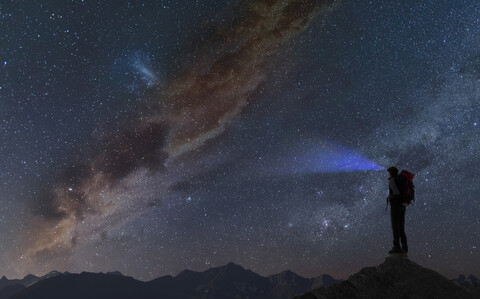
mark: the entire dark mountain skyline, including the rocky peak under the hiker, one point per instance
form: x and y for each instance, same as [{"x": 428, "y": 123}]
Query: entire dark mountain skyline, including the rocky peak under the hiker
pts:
[{"x": 397, "y": 277}]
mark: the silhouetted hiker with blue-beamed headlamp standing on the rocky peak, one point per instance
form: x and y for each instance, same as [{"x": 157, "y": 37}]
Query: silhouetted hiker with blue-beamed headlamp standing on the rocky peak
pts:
[{"x": 399, "y": 200}]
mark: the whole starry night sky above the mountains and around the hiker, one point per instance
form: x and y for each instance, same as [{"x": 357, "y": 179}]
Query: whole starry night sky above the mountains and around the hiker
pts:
[{"x": 150, "y": 137}]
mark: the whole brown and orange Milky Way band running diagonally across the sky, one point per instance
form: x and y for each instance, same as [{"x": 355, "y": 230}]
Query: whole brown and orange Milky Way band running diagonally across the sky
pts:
[{"x": 193, "y": 107}]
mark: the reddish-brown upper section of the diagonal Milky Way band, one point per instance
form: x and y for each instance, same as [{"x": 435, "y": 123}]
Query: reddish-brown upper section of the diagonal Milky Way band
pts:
[{"x": 201, "y": 102}]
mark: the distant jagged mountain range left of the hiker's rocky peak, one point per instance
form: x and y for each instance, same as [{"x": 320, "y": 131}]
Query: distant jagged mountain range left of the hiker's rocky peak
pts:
[{"x": 229, "y": 281}]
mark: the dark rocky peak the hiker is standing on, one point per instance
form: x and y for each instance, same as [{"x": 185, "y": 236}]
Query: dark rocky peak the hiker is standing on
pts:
[{"x": 396, "y": 278}]
